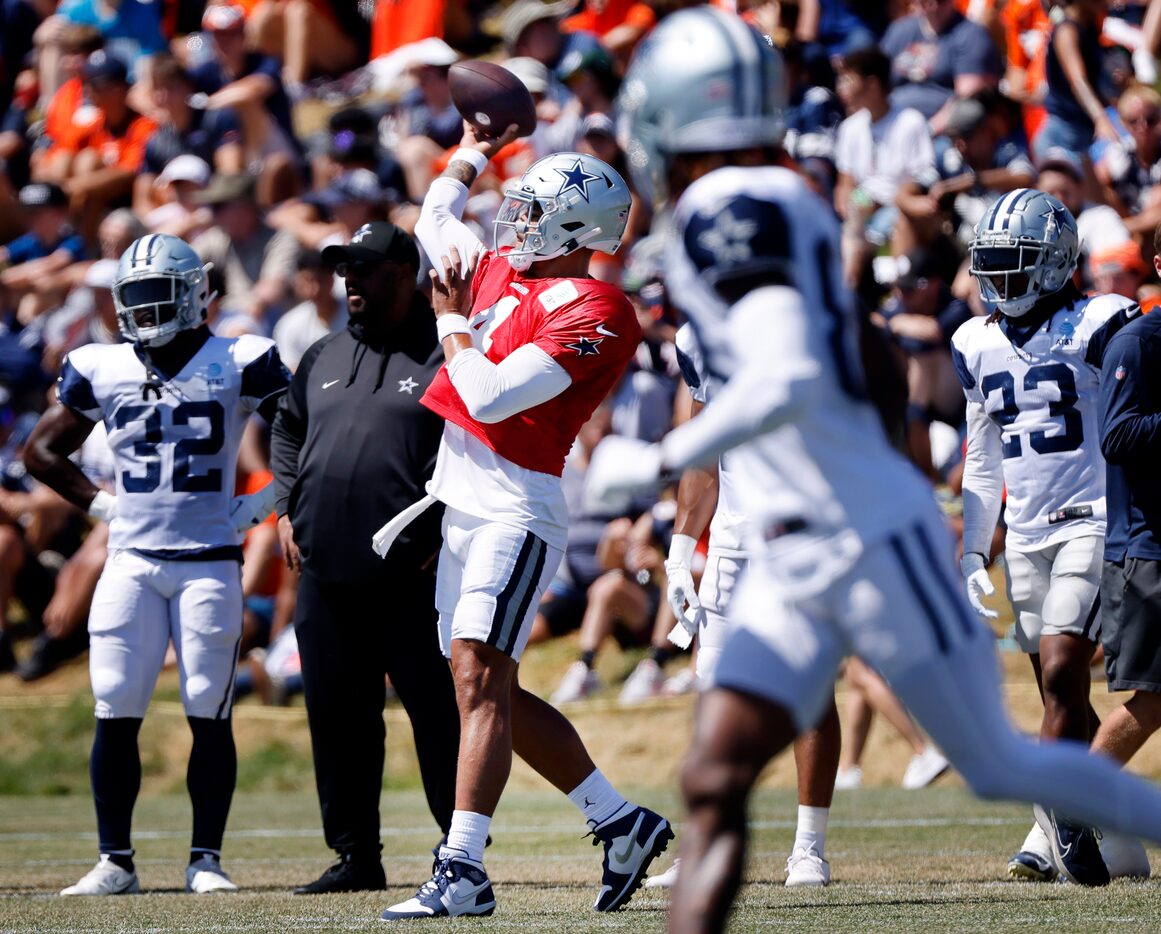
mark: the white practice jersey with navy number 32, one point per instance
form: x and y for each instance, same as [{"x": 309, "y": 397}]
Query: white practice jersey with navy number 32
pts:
[{"x": 175, "y": 449}]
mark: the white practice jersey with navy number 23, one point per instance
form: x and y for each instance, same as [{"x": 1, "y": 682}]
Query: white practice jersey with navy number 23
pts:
[{"x": 1033, "y": 425}]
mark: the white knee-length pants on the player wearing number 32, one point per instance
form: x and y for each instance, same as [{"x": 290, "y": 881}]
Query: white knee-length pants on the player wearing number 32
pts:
[{"x": 142, "y": 603}]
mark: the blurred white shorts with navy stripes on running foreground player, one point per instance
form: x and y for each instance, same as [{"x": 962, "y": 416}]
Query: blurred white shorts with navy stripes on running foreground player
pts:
[{"x": 897, "y": 605}]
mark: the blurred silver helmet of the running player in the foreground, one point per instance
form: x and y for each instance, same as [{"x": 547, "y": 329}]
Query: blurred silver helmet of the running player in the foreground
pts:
[{"x": 703, "y": 81}]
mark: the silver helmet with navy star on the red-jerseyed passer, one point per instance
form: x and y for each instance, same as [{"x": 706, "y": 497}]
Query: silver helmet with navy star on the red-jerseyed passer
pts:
[{"x": 561, "y": 204}]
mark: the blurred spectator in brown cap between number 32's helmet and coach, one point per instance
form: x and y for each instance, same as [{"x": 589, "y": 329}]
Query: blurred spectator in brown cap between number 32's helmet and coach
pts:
[{"x": 257, "y": 261}]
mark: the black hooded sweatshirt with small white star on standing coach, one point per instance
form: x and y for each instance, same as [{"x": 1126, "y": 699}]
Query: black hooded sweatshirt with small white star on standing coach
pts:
[{"x": 352, "y": 448}]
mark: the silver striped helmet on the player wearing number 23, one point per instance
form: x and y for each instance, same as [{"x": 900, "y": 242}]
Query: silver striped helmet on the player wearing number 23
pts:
[{"x": 1026, "y": 247}]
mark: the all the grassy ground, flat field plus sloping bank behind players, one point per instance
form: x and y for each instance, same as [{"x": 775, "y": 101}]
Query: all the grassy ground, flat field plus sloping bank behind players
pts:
[{"x": 928, "y": 861}]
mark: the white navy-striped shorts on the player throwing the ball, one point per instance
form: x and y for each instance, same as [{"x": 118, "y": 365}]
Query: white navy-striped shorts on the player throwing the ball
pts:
[{"x": 491, "y": 581}]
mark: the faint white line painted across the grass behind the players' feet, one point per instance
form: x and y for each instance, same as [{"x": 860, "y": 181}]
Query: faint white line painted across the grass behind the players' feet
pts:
[{"x": 270, "y": 834}]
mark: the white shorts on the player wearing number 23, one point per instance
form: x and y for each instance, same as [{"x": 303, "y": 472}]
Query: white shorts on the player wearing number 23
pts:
[{"x": 1057, "y": 591}]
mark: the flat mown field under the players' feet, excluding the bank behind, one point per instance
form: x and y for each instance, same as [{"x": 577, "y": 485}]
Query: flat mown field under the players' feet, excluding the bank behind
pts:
[{"x": 903, "y": 861}]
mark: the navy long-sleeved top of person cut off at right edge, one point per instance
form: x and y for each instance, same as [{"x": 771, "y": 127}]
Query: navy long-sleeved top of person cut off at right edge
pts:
[{"x": 1131, "y": 440}]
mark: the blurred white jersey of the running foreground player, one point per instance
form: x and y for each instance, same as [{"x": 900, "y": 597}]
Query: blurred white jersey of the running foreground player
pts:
[{"x": 789, "y": 357}]
